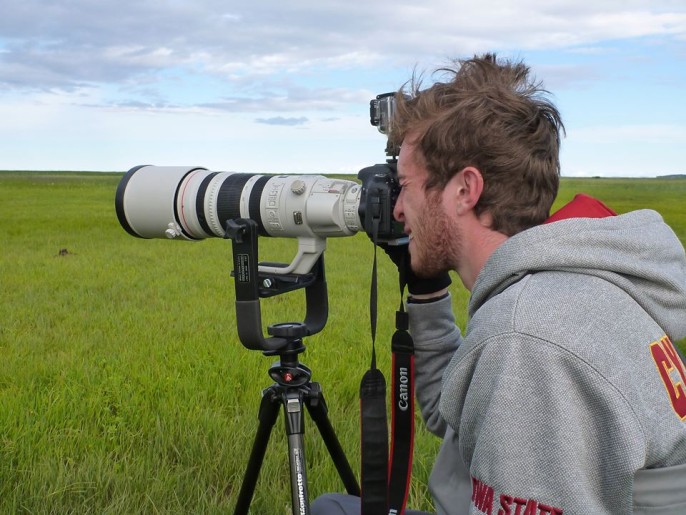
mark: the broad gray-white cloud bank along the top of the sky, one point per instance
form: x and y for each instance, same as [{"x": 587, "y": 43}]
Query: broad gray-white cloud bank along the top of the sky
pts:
[{"x": 89, "y": 42}]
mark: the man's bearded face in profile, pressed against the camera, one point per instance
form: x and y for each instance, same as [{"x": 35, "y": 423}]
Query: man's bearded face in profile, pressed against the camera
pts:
[{"x": 434, "y": 237}]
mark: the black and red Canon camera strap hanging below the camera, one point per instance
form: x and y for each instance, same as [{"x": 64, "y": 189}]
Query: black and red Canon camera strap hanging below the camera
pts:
[{"x": 383, "y": 492}]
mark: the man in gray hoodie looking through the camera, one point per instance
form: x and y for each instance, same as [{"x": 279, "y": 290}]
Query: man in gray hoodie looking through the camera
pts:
[{"x": 566, "y": 394}]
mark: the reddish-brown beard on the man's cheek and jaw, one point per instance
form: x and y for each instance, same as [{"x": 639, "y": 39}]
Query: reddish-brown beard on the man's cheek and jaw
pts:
[{"x": 436, "y": 240}]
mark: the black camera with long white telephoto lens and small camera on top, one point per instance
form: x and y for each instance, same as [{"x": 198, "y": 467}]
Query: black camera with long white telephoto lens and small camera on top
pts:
[{"x": 193, "y": 203}]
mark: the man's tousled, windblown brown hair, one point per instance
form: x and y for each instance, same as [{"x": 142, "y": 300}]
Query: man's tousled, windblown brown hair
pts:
[{"x": 490, "y": 116}]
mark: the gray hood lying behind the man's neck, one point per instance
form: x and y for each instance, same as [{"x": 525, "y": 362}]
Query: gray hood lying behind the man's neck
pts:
[{"x": 637, "y": 251}]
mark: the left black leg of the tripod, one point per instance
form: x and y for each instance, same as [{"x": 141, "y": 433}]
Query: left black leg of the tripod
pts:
[{"x": 269, "y": 411}]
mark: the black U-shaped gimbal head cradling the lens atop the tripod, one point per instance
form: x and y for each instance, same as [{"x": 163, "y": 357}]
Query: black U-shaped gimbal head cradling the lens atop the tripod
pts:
[{"x": 253, "y": 281}]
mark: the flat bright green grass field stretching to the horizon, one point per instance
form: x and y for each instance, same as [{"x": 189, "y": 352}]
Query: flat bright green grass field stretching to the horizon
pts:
[{"x": 123, "y": 387}]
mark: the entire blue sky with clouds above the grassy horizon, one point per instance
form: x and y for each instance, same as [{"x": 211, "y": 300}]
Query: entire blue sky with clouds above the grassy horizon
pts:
[{"x": 284, "y": 87}]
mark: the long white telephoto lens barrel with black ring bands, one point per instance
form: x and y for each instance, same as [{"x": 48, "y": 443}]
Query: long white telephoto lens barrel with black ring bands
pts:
[{"x": 194, "y": 203}]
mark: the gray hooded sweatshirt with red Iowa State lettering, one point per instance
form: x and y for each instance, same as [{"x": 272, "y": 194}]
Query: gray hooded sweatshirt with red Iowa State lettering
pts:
[{"x": 566, "y": 394}]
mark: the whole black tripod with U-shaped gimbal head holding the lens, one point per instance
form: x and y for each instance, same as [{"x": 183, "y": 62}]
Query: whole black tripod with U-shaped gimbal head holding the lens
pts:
[{"x": 292, "y": 388}]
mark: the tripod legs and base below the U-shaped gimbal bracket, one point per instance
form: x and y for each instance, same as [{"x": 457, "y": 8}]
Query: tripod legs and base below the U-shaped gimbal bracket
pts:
[{"x": 293, "y": 390}]
